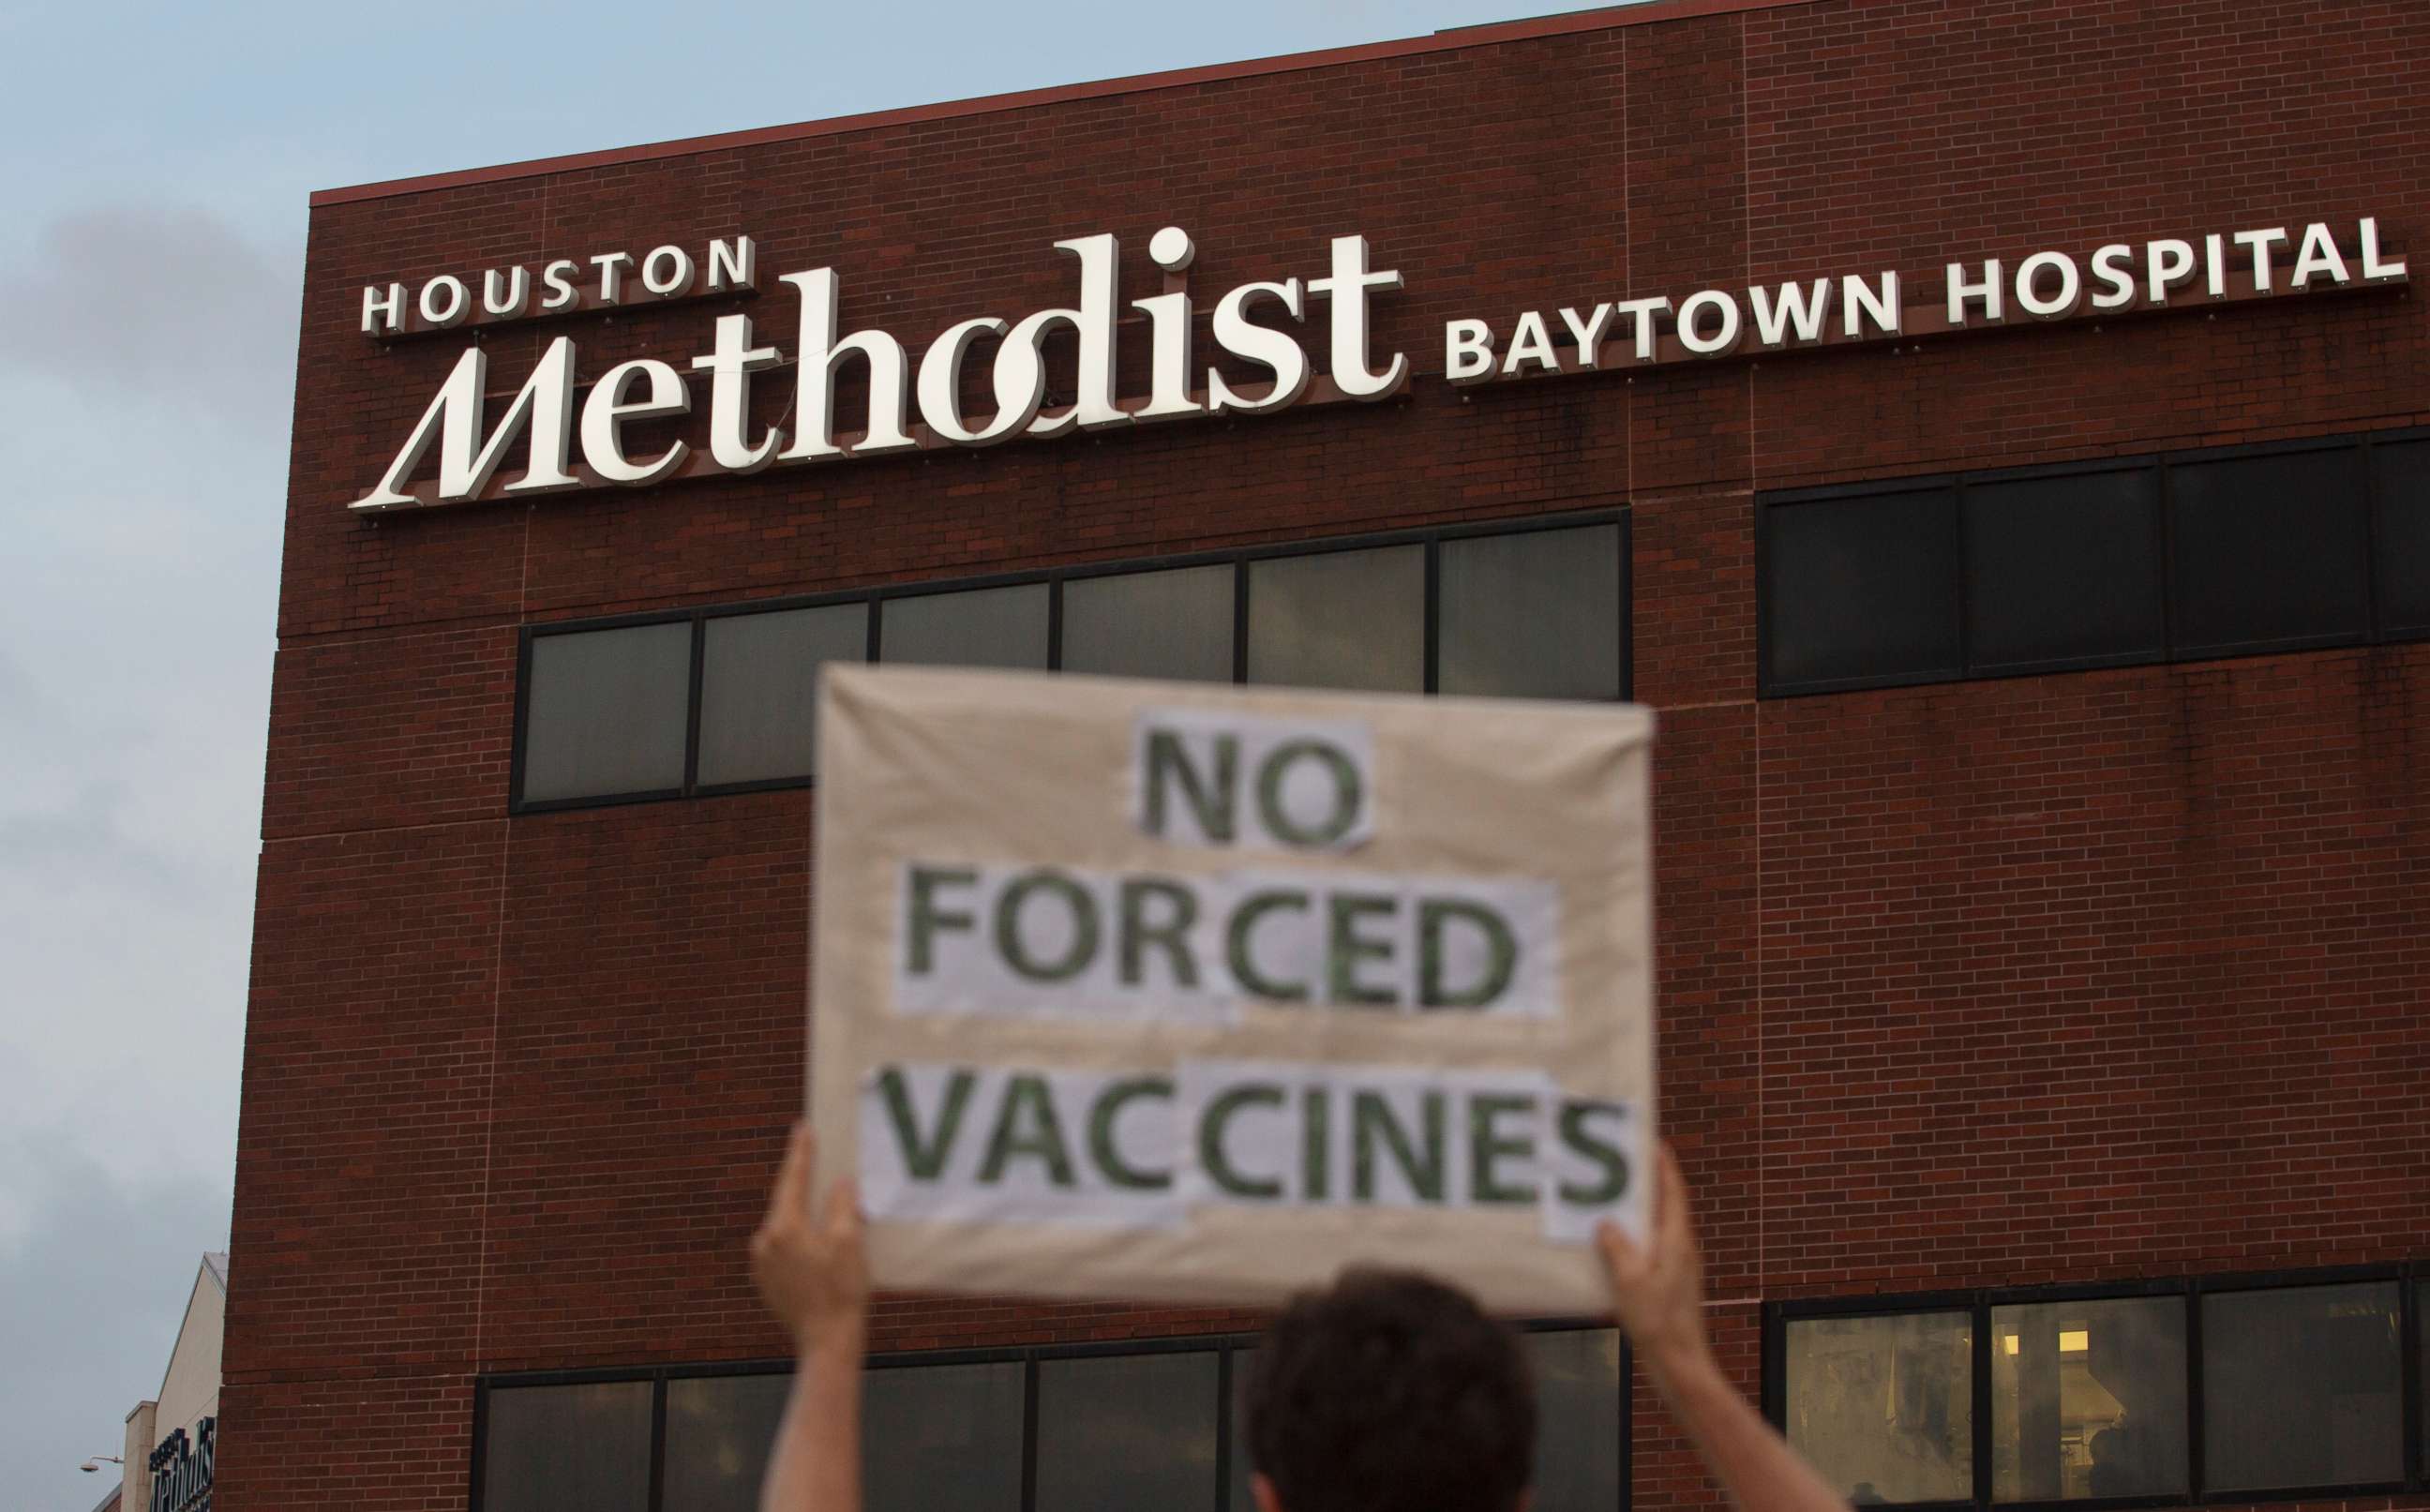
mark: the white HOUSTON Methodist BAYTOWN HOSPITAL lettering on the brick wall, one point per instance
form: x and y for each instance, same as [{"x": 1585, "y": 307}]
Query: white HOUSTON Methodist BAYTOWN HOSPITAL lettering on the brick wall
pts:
[{"x": 1253, "y": 325}]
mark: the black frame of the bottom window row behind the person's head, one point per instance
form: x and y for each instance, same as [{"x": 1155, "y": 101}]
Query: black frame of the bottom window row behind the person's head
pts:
[{"x": 1226, "y": 1345}]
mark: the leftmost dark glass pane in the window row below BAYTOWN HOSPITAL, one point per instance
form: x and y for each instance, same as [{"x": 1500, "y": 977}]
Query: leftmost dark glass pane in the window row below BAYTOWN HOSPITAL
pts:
[{"x": 1863, "y": 587}]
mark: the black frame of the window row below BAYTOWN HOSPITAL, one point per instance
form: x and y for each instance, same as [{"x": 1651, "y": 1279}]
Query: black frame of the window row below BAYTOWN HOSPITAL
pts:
[{"x": 2368, "y": 502}]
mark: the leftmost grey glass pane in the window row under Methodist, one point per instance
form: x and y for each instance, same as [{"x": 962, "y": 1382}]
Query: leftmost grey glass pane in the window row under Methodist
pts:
[{"x": 609, "y": 711}]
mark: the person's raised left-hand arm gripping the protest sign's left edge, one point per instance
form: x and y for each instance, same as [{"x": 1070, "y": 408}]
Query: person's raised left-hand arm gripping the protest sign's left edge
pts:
[{"x": 818, "y": 1282}]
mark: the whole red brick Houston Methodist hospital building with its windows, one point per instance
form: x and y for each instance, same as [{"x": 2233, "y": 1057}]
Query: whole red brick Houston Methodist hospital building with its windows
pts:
[{"x": 2045, "y": 852}]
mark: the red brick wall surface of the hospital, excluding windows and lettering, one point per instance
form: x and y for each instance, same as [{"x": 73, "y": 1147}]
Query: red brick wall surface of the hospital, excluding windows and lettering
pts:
[{"x": 2052, "y": 978}]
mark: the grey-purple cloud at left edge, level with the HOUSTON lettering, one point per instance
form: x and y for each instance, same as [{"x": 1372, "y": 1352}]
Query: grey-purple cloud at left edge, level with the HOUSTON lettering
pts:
[{"x": 162, "y": 305}]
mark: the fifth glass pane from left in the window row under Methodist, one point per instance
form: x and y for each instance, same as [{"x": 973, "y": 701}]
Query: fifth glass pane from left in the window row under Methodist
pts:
[{"x": 1340, "y": 621}]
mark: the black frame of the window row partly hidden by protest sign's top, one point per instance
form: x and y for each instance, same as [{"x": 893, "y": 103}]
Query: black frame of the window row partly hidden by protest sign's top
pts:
[{"x": 1053, "y": 577}]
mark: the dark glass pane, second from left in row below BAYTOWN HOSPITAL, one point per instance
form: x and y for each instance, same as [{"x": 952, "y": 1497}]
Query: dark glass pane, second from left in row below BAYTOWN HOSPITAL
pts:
[{"x": 2062, "y": 570}]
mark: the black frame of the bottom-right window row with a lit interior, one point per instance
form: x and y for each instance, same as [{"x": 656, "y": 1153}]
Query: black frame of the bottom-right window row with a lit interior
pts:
[{"x": 2414, "y": 1290}]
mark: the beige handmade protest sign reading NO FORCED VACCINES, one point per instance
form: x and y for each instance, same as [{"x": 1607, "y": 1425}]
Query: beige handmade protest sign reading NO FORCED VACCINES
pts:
[{"x": 1160, "y": 991}]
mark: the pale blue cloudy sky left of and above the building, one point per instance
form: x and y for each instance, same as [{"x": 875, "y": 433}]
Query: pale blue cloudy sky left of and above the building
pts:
[{"x": 154, "y": 174}]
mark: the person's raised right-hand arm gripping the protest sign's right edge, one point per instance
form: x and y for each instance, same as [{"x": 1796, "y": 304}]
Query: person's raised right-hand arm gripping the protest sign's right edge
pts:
[{"x": 1658, "y": 1297}]
